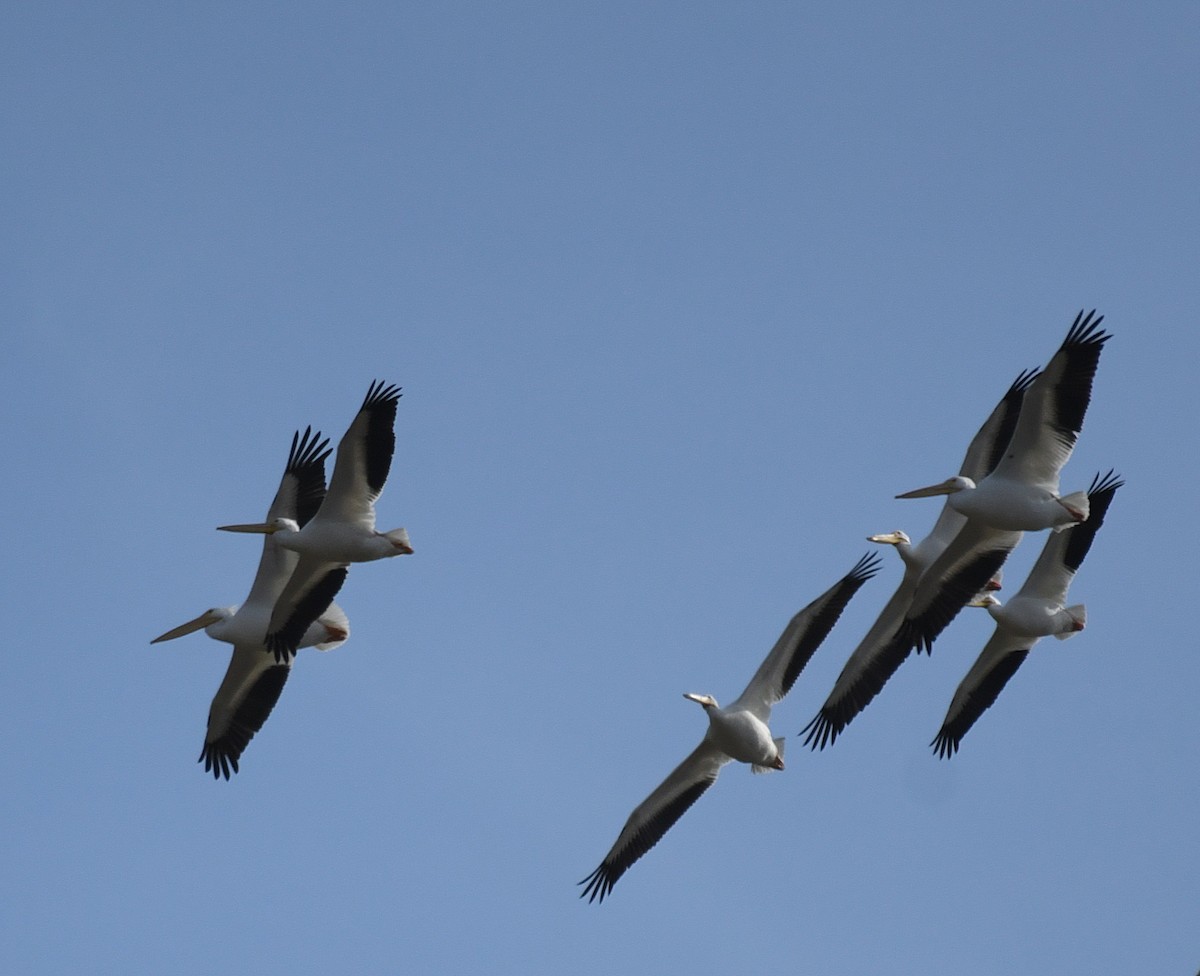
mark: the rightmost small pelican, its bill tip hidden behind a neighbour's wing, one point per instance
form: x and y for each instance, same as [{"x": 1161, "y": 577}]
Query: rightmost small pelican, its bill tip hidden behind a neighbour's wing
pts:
[{"x": 1036, "y": 612}]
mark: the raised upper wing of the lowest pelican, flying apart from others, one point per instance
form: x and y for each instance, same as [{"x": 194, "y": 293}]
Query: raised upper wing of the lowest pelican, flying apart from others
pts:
[{"x": 801, "y": 639}]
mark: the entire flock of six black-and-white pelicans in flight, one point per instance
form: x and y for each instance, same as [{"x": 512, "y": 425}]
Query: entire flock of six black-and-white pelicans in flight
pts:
[{"x": 1007, "y": 486}]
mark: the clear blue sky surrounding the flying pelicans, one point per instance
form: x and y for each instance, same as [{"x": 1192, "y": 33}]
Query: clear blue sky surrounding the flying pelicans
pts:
[{"x": 681, "y": 296}]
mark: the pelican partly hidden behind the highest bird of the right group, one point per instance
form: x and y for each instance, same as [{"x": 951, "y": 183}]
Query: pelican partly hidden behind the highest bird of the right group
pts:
[{"x": 881, "y": 652}]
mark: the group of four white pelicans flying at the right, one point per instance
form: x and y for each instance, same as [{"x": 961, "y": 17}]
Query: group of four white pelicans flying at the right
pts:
[{"x": 1007, "y": 486}]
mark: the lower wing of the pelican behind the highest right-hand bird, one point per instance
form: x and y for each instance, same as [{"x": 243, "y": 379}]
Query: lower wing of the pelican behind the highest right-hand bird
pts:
[{"x": 868, "y": 669}]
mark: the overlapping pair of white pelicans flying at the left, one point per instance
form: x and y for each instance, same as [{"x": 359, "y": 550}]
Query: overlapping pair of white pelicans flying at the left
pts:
[{"x": 313, "y": 537}]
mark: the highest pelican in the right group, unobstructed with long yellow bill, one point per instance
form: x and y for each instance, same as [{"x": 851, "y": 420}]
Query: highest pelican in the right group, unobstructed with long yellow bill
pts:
[{"x": 1022, "y": 495}]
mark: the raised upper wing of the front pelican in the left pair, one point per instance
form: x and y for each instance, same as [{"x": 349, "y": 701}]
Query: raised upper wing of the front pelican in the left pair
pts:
[{"x": 364, "y": 458}]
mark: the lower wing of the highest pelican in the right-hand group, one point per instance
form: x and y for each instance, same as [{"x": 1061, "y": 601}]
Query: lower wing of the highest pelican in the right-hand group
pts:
[{"x": 953, "y": 579}]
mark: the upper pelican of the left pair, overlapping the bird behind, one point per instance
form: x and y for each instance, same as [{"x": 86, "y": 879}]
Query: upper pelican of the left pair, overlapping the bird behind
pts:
[{"x": 343, "y": 531}]
